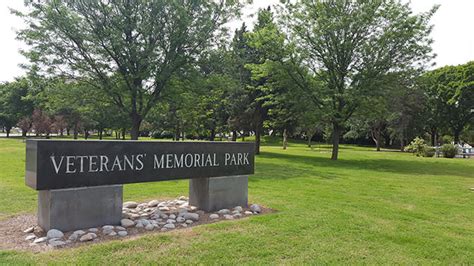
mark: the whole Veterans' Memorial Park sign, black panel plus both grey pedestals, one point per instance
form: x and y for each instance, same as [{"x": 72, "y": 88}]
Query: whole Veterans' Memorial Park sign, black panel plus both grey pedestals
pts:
[{"x": 80, "y": 182}]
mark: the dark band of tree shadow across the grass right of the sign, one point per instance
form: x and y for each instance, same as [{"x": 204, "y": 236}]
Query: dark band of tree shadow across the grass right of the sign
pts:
[{"x": 304, "y": 165}]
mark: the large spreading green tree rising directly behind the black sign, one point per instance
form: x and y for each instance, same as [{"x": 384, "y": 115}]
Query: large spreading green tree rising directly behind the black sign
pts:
[{"x": 128, "y": 49}]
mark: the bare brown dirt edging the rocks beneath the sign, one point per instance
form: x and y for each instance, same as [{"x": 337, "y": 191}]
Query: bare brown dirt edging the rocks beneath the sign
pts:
[{"x": 12, "y": 236}]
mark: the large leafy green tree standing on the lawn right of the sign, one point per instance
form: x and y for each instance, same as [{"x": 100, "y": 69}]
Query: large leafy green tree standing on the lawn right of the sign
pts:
[{"x": 351, "y": 44}]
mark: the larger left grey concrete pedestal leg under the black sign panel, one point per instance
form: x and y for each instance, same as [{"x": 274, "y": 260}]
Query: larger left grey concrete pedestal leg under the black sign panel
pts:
[{"x": 79, "y": 208}]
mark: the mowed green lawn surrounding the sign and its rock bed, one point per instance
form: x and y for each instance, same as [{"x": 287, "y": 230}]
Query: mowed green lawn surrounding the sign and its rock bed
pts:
[{"x": 368, "y": 207}]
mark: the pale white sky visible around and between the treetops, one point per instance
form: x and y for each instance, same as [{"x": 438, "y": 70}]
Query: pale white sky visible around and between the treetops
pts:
[{"x": 453, "y": 32}]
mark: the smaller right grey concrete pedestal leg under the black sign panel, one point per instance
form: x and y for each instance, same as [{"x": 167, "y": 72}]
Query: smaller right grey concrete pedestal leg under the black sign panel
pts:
[{"x": 215, "y": 193}]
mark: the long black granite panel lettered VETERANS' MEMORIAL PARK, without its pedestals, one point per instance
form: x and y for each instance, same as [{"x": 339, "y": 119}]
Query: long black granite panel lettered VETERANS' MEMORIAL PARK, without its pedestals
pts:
[{"x": 56, "y": 164}]
